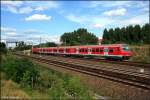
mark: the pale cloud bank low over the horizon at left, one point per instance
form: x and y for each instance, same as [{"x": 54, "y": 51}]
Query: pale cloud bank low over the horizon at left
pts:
[{"x": 33, "y": 36}]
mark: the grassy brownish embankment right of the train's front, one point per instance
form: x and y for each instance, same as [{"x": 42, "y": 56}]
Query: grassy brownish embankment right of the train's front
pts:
[{"x": 140, "y": 53}]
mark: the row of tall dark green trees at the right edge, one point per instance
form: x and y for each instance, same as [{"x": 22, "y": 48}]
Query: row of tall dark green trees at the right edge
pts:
[{"x": 131, "y": 34}]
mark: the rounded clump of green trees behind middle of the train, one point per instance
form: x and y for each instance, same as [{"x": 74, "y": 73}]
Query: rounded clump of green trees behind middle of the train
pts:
[{"x": 78, "y": 37}]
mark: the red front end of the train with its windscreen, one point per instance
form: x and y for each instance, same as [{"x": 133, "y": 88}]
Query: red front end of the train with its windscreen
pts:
[{"x": 125, "y": 52}]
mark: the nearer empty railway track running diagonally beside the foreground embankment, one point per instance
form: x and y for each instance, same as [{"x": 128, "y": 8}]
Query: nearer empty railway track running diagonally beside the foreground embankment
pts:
[{"x": 140, "y": 80}]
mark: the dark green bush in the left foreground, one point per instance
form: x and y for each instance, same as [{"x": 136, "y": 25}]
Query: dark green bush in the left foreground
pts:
[{"x": 20, "y": 70}]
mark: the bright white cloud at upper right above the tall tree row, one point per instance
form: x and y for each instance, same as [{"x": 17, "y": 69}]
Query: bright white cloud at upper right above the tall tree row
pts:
[{"x": 115, "y": 12}]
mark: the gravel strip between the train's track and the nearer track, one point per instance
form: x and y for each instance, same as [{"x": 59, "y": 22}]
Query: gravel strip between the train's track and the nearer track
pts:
[{"x": 99, "y": 64}]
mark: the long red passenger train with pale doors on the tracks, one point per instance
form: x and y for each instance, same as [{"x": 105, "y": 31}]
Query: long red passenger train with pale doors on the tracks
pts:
[{"x": 116, "y": 51}]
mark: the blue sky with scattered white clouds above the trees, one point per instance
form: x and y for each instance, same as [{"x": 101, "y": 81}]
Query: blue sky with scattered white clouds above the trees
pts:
[{"x": 31, "y": 20}]
